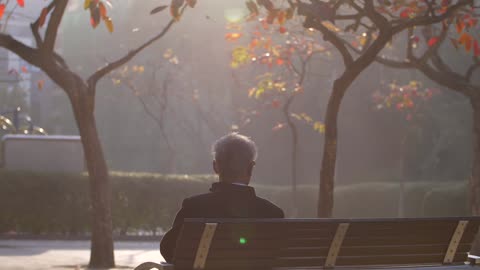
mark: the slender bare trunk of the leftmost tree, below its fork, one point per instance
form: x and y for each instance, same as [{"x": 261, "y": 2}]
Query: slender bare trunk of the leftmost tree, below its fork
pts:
[{"x": 101, "y": 252}]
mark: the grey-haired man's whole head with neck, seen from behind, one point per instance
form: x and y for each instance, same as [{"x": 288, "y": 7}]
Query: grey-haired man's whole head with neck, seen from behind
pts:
[{"x": 234, "y": 157}]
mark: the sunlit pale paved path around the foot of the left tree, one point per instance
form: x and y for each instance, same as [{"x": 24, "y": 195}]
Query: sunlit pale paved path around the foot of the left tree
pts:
[{"x": 59, "y": 255}]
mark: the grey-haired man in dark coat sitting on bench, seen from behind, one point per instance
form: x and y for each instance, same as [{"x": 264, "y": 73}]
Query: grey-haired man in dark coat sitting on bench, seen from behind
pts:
[{"x": 231, "y": 197}]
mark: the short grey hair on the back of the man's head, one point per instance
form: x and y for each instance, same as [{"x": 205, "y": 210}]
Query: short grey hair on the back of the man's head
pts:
[{"x": 234, "y": 153}]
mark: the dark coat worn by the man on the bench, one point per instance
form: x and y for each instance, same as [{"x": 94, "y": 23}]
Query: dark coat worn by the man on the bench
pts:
[{"x": 224, "y": 201}]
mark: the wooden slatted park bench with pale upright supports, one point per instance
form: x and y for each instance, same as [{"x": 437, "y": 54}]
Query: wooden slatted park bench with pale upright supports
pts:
[{"x": 262, "y": 244}]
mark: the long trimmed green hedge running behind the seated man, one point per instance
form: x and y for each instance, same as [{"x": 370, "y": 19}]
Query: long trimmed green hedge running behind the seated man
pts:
[{"x": 43, "y": 203}]
